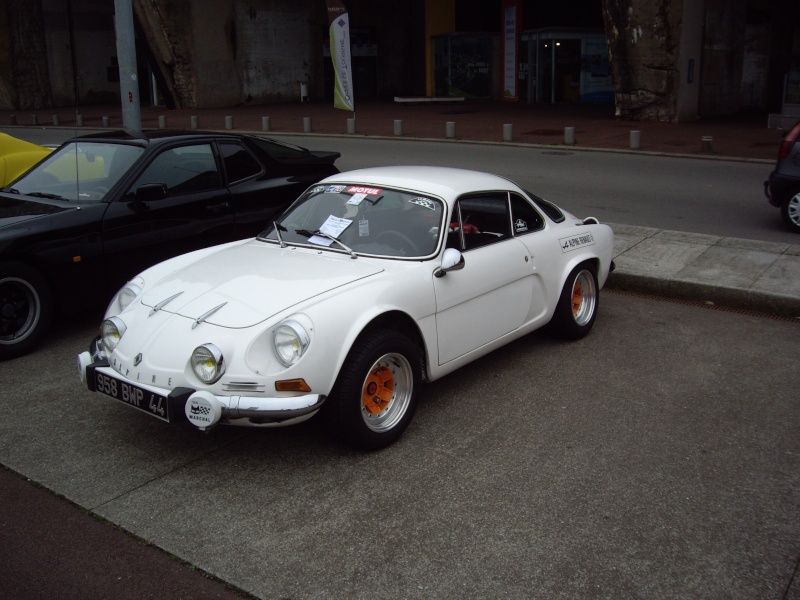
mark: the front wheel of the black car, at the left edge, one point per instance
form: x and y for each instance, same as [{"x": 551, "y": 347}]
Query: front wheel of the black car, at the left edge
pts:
[{"x": 26, "y": 309}]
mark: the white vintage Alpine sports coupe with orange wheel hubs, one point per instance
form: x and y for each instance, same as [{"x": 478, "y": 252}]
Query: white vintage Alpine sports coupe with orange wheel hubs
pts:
[{"x": 371, "y": 283}]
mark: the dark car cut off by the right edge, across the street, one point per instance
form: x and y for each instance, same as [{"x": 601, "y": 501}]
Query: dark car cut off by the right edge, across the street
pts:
[{"x": 783, "y": 186}]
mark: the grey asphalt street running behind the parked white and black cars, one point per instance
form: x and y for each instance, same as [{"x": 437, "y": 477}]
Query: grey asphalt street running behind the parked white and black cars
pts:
[{"x": 717, "y": 197}]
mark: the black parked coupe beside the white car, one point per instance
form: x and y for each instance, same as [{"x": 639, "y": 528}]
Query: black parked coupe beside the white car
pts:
[{"x": 101, "y": 208}]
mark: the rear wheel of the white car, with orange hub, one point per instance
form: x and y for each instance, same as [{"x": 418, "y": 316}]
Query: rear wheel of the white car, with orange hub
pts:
[{"x": 577, "y": 306}]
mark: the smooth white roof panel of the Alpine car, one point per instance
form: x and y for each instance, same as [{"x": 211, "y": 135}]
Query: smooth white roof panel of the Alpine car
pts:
[{"x": 446, "y": 182}]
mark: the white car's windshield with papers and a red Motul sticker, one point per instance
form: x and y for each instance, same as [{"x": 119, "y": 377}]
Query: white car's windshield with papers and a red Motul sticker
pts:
[{"x": 359, "y": 219}]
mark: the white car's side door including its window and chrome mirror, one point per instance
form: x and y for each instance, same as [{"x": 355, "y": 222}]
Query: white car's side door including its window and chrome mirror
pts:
[{"x": 491, "y": 295}]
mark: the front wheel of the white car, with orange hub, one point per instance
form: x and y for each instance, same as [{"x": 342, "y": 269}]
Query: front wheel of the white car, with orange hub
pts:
[{"x": 375, "y": 395}]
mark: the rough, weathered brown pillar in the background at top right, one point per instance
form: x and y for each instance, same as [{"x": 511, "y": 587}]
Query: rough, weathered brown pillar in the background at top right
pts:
[{"x": 643, "y": 43}]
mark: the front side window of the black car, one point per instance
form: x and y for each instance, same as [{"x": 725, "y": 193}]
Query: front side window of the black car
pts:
[{"x": 183, "y": 170}]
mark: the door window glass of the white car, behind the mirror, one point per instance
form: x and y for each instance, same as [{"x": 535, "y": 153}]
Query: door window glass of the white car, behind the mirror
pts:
[{"x": 479, "y": 220}]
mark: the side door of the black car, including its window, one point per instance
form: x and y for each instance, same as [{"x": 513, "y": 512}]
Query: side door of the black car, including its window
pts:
[{"x": 194, "y": 211}]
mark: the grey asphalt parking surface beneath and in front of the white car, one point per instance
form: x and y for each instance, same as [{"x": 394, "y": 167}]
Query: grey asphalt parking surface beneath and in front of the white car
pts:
[{"x": 657, "y": 458}]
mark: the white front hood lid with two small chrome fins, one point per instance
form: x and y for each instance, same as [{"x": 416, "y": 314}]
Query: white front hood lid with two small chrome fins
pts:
[{"x": 242, "y": 285}]
